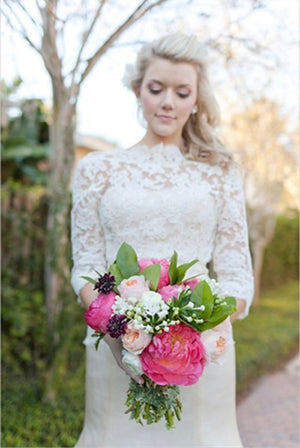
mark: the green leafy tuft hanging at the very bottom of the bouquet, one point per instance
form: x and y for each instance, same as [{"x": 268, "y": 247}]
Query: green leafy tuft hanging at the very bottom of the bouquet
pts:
[{"x": 151, "y": 402}]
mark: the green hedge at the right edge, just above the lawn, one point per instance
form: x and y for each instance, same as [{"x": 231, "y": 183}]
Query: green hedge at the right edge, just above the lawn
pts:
[{"x": 281, "y": 262}]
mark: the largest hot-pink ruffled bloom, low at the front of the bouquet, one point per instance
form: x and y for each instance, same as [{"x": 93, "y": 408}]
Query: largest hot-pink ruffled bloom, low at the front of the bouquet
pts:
[{"x": 174, "y": 357}]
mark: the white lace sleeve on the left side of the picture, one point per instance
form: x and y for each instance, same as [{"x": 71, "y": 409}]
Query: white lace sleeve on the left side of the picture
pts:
[{"x": 86, "y": 231}]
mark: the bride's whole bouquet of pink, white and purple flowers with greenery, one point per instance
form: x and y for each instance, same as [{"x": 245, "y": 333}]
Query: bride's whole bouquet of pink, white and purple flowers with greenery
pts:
[{"x": 170, "y": 328}]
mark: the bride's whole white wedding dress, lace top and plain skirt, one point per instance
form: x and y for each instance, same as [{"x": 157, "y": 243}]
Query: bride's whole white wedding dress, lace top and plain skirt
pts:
[{"x": 158, "y": 201}]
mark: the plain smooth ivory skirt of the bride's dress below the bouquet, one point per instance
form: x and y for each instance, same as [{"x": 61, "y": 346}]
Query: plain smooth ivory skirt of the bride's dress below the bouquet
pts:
[{"x": 208, "y": 414}]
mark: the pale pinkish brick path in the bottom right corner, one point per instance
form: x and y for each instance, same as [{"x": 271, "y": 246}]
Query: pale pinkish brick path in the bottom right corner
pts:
[{"x": 269, "y": 416}]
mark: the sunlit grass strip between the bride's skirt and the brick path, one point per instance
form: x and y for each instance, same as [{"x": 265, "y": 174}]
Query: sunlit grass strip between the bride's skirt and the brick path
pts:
[{"x": 268, "y": 337}]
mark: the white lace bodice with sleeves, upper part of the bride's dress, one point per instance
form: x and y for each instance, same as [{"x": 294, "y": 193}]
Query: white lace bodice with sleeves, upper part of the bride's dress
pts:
[{"x": 158, "y": 201}]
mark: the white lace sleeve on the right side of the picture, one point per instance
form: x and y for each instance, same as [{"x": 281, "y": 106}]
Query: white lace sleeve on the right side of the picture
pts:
[{"x": 231, "y": 256}]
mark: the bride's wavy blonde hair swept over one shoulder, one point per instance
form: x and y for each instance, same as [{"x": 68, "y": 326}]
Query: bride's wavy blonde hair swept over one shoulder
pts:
[{"x": 201, "y": 141}]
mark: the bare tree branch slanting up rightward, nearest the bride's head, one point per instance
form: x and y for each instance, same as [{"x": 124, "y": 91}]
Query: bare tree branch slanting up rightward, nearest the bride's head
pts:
[{"x": 134, "y": 17}]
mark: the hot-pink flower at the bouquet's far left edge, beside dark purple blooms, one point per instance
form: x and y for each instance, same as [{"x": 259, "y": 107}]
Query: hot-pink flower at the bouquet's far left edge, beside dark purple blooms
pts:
[{"x": 100, "y": 311}]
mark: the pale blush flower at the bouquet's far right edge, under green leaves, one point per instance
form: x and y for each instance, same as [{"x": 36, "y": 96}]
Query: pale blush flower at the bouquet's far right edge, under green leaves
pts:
[{"x": 217, "y": 341}]
